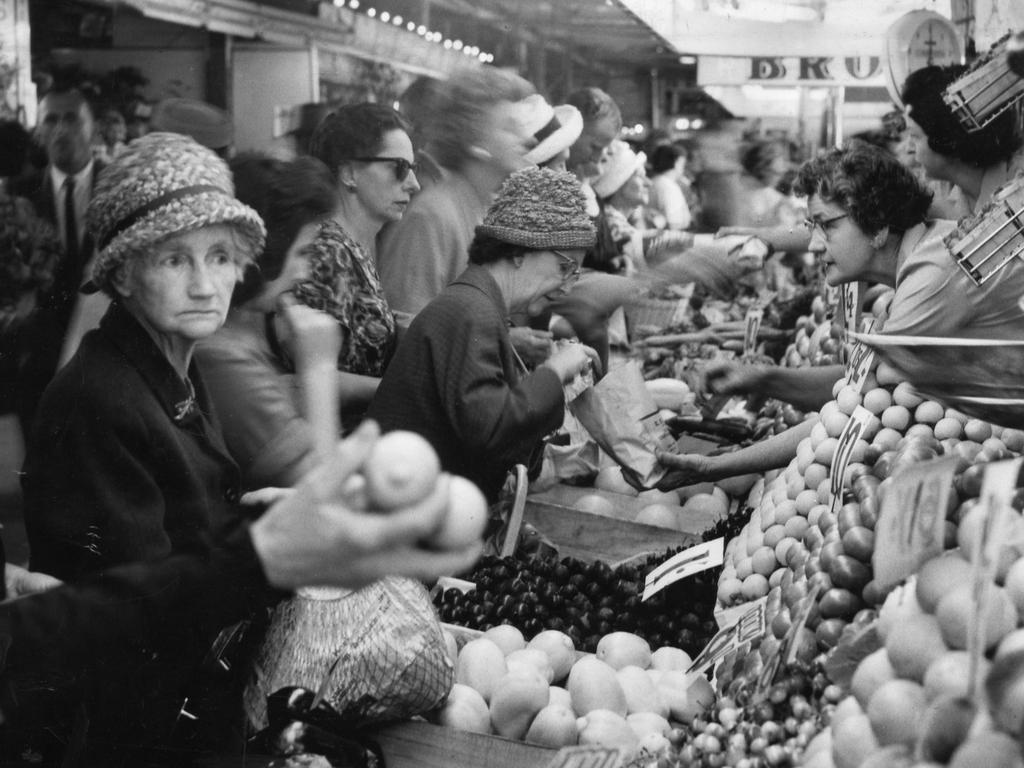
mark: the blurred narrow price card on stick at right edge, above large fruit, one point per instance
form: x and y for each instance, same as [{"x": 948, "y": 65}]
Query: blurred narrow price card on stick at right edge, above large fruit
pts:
[{"x": 1002, "y": 528}]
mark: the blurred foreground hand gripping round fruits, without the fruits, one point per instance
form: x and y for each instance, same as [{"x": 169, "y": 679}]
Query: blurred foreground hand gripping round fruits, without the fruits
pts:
[{"x": 313, "y": 538}]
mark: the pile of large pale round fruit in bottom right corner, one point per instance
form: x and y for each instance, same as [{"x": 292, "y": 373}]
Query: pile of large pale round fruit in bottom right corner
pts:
[{"x": 911, "y": 701}]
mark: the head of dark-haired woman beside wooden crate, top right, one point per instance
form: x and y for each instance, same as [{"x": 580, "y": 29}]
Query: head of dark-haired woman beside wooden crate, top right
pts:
[{"x": 977, "y": 163}]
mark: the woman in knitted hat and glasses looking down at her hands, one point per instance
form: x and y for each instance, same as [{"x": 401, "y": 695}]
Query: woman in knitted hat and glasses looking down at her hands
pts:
[{"x": 456, "y": 378}]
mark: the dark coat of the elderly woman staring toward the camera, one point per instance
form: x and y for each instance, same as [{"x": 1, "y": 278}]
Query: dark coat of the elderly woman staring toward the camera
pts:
[{"x": 122, "y": 467}]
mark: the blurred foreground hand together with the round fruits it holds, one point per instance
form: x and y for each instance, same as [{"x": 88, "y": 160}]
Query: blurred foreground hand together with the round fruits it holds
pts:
[{"x": 318, "y": 537}]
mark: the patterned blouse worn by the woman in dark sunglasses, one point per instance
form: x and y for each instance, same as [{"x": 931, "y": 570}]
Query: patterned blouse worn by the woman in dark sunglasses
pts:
[{"x": 344, "y": 282}]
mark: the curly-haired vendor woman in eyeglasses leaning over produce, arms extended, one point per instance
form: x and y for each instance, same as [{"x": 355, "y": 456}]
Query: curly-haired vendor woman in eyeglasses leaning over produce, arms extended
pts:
[{"x": 868, "y": 221}]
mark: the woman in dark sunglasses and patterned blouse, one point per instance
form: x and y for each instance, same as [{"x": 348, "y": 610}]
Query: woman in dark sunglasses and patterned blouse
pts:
[{"x": 368, "y": 149}]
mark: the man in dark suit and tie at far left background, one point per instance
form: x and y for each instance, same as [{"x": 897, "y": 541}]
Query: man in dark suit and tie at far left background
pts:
[{"x": 61, "y": 194}]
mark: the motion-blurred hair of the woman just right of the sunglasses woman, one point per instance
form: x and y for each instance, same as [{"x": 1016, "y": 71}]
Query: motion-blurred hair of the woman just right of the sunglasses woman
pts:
[{"x": 462, "y": 105}]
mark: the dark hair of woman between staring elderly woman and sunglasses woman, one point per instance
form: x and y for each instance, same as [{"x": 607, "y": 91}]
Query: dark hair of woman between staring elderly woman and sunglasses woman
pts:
[{"x": 287, "y": 196}]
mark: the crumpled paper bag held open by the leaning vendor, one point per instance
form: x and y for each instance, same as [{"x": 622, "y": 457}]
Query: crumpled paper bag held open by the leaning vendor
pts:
[{"x": 621, "y": 416}]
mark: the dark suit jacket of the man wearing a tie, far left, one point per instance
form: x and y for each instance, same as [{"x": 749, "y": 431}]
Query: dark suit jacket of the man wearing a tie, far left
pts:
[{"x": 45, "y": 331}]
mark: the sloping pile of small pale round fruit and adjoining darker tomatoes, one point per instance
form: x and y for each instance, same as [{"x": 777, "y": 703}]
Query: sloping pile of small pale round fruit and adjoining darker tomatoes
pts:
[{"x": 794, "y": 543}]
